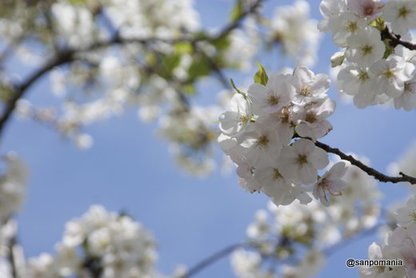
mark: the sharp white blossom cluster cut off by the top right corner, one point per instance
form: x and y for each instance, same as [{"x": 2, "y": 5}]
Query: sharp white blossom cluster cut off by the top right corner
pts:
[{"x": 374, "y": 70}]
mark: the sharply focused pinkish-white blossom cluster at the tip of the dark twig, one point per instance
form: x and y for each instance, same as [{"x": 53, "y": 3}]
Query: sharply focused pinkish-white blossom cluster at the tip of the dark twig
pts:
[{"x": 269, "y": 133}]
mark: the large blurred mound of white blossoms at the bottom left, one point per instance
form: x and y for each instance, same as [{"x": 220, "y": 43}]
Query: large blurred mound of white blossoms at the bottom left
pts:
[{"x": 99, "y": 244}]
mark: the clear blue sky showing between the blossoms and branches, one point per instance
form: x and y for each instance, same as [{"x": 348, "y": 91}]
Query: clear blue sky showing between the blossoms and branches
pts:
[{"x": 129, "y": 168}]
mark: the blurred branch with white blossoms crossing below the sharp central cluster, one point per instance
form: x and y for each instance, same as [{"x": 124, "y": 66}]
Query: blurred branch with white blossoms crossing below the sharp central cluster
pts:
[{"x": 275, "y": 238}]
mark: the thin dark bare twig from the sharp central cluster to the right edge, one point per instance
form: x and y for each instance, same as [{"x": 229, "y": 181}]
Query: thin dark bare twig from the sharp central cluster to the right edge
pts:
[{"x": 370, "y": 171}]
